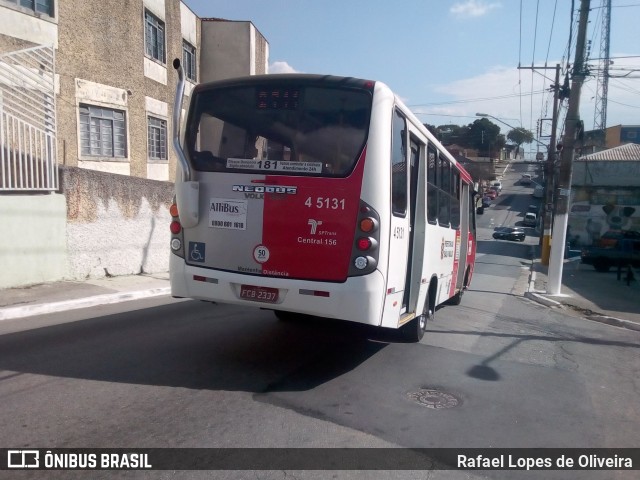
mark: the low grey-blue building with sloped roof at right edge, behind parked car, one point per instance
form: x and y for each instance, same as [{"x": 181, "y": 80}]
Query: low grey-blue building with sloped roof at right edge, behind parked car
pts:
[{"x": 605, "y": 191}]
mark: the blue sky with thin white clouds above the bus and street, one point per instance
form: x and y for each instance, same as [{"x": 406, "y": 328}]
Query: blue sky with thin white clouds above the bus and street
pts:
[{"x": 451, "y": 59}]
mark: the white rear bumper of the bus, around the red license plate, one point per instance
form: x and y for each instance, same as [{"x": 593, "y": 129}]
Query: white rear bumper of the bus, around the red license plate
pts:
[{"x": 358, "y": 299}]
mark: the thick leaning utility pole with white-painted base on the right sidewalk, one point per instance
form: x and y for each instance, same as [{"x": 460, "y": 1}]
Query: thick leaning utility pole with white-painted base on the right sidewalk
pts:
[{"x": 572, "y": 123}]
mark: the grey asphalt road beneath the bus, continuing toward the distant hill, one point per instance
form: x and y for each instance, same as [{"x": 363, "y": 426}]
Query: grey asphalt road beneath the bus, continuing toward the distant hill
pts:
[{"x": 168, "y": 373}]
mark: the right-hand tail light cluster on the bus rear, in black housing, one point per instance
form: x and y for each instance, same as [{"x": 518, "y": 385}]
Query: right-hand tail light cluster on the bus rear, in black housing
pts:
[{"x": 364, "y": 255}]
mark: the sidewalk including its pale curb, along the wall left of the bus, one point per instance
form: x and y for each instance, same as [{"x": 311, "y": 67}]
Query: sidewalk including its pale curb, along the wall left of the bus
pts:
[{"x": 62, "y": 296}]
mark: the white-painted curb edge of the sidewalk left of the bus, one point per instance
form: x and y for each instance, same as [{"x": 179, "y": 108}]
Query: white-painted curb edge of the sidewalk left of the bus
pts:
[{"x": 109, "y": 298}]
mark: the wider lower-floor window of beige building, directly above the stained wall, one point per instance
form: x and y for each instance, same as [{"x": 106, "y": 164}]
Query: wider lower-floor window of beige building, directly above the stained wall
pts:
[{"x": 102, "y": 132}]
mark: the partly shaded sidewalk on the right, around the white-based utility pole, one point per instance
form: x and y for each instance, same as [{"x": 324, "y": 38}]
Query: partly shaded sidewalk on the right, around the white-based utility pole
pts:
[{"x": 594, "y": 295}]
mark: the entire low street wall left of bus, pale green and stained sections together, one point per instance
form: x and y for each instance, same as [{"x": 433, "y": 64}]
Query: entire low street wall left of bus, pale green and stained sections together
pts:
[{"x": 101, "y": 224}]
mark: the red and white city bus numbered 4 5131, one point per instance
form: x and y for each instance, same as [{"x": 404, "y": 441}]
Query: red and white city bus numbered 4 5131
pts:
[{"x": 318, "y": 195}]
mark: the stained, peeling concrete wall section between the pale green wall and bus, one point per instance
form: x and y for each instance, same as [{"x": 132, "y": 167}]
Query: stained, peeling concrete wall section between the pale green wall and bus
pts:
[{"x": 117, "y": 225}]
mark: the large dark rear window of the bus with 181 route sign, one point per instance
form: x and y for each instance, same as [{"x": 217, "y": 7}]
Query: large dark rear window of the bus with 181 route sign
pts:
[{"x": 288, "y": 130}]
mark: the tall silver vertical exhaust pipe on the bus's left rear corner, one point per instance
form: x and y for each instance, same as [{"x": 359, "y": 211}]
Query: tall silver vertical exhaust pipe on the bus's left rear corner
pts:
[{"x": 187, "y": 191}]
